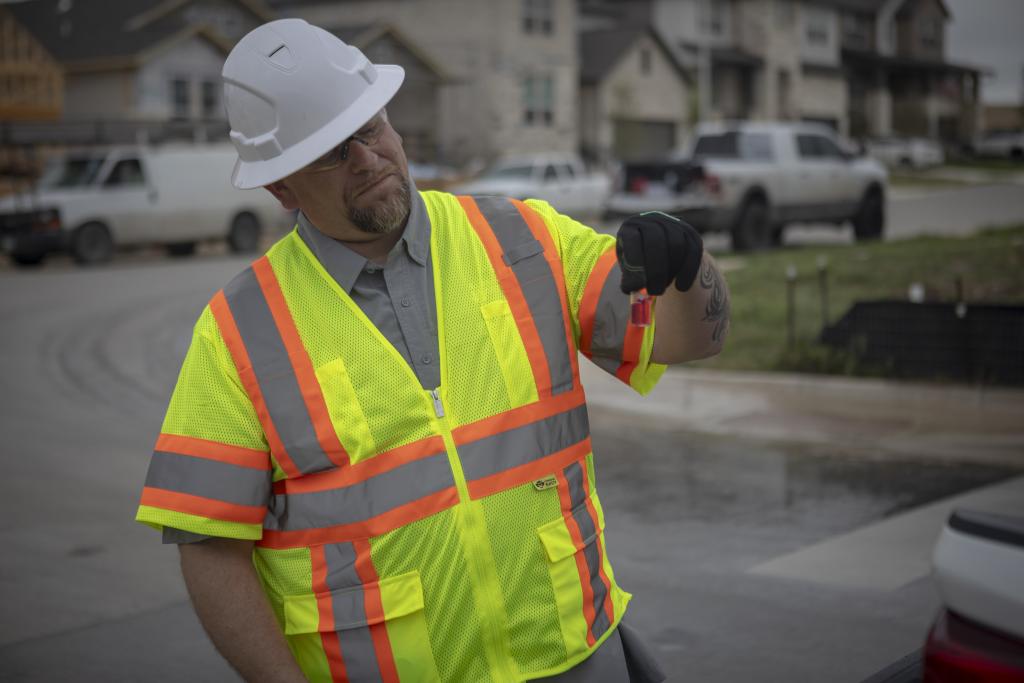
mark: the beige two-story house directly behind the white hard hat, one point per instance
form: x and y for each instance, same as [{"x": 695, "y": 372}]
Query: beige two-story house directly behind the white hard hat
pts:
[{"x": 511, "y": 70}]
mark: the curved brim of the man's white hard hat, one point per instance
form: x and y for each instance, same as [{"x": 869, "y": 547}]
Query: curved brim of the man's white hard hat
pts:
[{"x": 248, "y": 176}]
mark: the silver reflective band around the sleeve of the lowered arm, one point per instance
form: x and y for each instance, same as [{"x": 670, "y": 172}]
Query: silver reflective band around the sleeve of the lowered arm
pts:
[{"x": 208, "y": 479}]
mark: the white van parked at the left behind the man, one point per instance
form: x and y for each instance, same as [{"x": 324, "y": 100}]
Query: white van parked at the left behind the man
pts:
[{"x": 92, "y": 203}]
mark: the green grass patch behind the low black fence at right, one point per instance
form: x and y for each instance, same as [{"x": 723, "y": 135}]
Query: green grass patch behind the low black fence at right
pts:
[{"x": 991, "y": 266}]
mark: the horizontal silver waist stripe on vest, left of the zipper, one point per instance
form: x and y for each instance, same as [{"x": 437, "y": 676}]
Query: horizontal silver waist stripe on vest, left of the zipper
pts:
[{"x": 360, "y": 502}]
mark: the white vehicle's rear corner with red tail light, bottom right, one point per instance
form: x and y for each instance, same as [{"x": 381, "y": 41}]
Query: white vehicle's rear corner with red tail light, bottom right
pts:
[{"x": 978, "y": 567}]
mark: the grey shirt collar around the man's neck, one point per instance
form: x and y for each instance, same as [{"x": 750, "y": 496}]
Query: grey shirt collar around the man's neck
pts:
[{"x": 346, "y": 266}]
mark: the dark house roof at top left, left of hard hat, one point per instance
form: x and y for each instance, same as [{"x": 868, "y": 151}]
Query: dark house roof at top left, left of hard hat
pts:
[{"x": 123, "y": 29}]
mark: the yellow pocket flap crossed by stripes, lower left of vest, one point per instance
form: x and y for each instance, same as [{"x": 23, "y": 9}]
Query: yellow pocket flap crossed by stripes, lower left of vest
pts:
[{"x": 400, "y": 596}]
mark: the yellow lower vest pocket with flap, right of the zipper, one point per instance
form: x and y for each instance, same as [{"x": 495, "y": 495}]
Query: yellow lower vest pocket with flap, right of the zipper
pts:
[{"x": 583, "y": 590}]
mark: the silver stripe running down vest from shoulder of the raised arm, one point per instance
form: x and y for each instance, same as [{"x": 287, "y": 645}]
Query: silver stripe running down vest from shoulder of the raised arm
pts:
[{"x": 537, "y": 282}]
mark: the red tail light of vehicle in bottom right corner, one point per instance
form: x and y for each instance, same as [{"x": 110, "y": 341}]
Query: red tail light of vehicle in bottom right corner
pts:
[{"x": 961, "y": 652}]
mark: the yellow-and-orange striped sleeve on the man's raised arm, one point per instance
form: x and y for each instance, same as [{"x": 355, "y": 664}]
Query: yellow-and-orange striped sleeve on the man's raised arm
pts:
[{"x": 601, "y": 312}]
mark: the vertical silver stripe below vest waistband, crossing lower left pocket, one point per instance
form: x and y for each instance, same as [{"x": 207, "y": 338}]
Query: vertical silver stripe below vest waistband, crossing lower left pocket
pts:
[{"x": 350, "y": 610}]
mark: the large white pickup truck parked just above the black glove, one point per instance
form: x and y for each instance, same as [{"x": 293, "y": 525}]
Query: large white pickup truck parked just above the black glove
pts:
[{"x": 751, "y": 180}]
